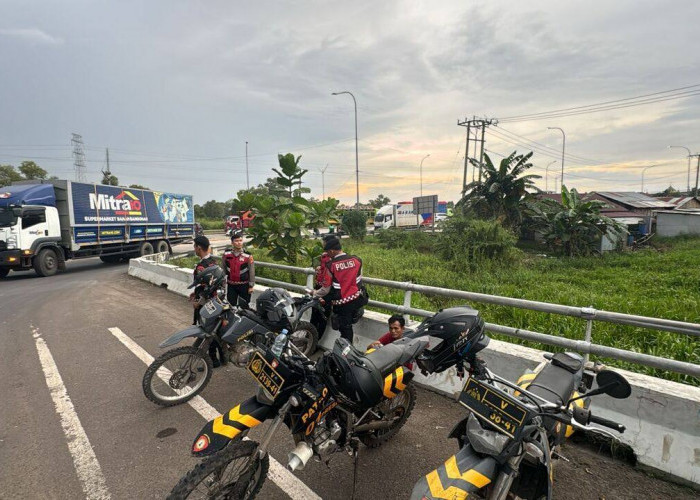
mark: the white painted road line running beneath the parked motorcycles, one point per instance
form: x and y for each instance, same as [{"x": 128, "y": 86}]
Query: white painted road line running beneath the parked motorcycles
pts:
[{"x": 288, "y": 482}]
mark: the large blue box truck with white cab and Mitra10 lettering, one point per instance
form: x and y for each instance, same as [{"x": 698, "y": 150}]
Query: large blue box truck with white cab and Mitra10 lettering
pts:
[{"x": 44, "y": 224}]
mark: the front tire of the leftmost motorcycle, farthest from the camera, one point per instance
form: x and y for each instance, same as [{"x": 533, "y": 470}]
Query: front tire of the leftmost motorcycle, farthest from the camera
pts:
[{"x": 205, "y": 365}]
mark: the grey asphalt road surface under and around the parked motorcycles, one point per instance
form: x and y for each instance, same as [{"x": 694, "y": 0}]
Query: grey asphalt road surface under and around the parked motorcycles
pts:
[{"x": 74, "y": 423}]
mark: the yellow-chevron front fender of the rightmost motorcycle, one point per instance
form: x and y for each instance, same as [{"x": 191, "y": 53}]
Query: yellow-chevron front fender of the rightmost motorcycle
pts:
[{"x": 461, "y": 474}]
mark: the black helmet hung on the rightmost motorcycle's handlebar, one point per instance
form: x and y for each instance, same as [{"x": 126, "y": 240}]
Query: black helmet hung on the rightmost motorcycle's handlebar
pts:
[{"x": 461, "y": 333}]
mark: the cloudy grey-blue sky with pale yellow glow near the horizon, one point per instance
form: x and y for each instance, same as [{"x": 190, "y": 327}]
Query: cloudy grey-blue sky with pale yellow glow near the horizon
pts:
[{"x": 174, "y": 89}]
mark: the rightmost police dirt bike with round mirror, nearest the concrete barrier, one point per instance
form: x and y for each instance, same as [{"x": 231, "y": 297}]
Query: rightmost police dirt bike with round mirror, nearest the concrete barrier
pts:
[{"x": 513, "y": 432}]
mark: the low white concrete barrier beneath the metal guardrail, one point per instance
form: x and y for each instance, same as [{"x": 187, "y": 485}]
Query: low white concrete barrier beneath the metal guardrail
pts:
[{"x": 662, "y": 417}]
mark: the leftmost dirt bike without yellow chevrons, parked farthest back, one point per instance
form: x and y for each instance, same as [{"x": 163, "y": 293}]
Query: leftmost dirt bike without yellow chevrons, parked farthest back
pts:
[{"x": 181, "y": 373}]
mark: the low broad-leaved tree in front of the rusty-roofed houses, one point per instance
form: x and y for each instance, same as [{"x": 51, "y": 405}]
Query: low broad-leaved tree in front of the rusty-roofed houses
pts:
[{"x": 573, "y": 226}]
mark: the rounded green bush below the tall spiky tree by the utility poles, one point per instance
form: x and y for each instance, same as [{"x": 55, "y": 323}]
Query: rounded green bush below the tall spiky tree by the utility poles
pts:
[{"x": 476, "y": 240}]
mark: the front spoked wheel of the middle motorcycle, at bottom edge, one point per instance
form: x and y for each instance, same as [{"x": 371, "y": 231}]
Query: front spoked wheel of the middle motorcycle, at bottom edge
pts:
[{"x": 225, "y": 475}]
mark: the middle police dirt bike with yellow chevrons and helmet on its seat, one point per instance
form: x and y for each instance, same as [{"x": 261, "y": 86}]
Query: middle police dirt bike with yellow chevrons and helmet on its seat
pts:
[{"x": 345, "y": 398}]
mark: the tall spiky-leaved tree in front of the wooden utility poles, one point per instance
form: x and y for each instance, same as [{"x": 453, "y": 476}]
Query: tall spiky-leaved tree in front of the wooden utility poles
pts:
[{"x": 503, "y": 192}]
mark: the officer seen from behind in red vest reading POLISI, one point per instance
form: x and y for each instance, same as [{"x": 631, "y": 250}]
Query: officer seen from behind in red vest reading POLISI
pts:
[{"x": 342, "y": 285}]
